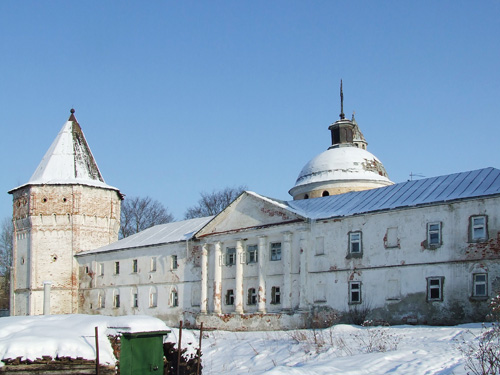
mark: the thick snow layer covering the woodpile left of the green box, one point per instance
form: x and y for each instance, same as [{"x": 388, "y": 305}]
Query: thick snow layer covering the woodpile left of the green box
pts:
[{"x": 72, "y": 336}]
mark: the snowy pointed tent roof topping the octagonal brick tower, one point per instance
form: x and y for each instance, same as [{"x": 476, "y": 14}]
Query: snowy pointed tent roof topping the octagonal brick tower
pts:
[{"x": 69, "y": 160}]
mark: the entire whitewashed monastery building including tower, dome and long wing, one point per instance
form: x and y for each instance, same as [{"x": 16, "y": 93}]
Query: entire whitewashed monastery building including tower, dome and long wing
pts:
[{"x": 351, "y": 245}]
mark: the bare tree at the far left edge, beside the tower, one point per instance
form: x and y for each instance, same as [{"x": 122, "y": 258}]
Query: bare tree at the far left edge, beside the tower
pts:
[{"x": 7, "y": 231}]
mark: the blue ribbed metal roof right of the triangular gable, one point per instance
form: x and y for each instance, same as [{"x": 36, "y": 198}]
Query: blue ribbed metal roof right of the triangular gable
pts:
[{"x": 464, "y": 185}]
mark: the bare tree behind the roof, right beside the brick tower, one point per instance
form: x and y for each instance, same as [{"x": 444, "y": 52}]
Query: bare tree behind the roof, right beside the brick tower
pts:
[{"x": 139, "y": 213}]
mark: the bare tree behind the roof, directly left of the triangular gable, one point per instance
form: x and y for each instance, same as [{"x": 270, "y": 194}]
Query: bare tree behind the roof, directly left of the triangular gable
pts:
[{"x": 214, "y": 202}]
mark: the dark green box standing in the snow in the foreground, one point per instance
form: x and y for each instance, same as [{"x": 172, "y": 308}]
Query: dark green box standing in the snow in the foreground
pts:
[{"x": 142, "y": 353}]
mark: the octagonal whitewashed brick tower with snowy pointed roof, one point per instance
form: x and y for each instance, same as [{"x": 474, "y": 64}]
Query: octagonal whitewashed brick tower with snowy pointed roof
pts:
[{"x": 66, "y": 207}]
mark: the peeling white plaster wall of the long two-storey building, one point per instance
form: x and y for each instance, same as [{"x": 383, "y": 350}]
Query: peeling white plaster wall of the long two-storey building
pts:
[{"x": 314, "y": 272}]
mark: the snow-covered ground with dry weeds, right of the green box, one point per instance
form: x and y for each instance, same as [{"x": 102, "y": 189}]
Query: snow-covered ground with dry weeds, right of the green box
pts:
[{"x": 343, "y": 349}]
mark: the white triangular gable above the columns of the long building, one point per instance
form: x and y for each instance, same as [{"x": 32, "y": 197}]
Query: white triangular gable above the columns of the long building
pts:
[{"x": 249, "y": 210}]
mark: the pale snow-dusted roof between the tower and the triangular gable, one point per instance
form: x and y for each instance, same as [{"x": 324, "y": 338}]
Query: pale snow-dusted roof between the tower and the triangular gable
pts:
[{"x": 159, "y": 234}]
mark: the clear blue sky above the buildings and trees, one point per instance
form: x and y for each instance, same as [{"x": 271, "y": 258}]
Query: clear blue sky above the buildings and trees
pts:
[{"x": 181, "y": 97}]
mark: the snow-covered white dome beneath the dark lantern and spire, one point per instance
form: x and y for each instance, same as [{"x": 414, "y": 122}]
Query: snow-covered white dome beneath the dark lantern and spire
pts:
[{"x": 341, "y": 165}]
